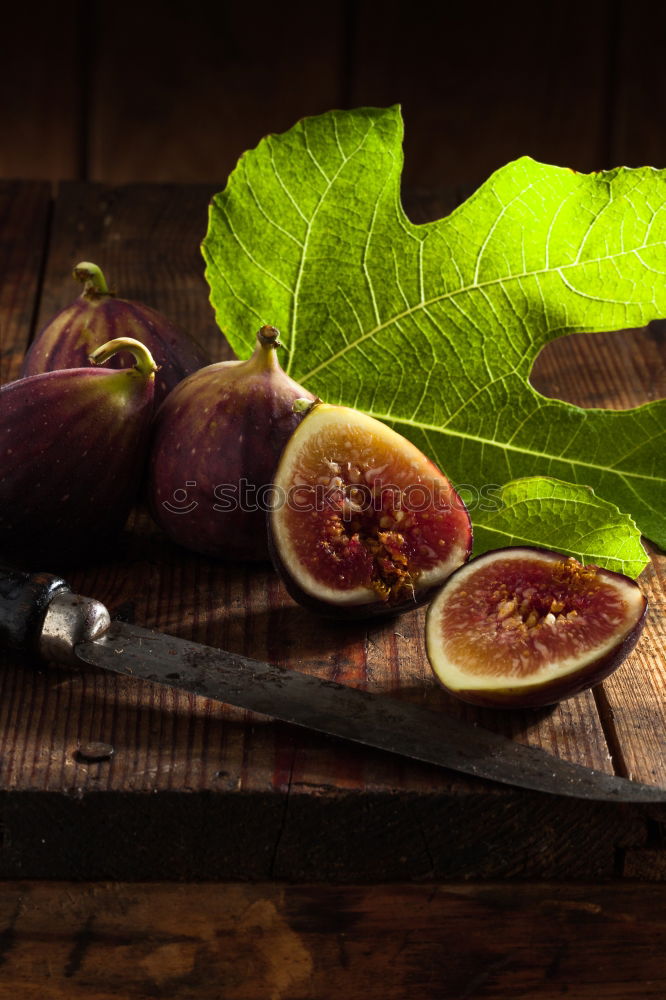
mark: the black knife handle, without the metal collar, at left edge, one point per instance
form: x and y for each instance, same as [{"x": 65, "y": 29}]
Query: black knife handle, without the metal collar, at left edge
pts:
[{"x": 24, "y": 601}]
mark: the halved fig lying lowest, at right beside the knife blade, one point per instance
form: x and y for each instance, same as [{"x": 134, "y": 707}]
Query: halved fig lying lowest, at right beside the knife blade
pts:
[{"x": 523, "y": 627}]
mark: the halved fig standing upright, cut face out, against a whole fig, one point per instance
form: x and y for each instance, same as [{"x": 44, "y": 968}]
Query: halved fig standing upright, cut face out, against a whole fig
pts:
[{"x": 362, "y": 523}]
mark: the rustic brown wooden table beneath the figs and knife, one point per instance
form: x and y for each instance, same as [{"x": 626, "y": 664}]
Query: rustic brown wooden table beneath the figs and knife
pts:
[{"x": 309, "y": 864}]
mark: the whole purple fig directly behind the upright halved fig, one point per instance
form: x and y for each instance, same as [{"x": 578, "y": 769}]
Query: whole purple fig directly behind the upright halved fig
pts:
[{"x": 217, "y": 441}]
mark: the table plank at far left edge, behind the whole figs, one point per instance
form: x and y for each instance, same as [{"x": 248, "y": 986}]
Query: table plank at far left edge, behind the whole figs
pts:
[{"x": 24, "y": 219}]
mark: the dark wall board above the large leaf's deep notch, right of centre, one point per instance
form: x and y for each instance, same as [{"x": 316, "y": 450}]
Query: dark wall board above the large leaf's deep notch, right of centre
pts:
[{"x": 478, "y": 92}]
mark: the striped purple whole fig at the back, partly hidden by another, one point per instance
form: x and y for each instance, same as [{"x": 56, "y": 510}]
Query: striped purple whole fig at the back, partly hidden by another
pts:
[{"x": 98, "y": 316}]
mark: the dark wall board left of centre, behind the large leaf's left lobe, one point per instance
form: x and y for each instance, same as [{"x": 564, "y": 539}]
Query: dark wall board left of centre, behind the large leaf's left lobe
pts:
[{"x": 183, "y": 93}]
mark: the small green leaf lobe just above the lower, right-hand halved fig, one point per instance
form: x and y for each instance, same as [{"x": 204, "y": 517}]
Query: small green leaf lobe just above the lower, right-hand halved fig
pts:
[{"x": 551, "y": 514}]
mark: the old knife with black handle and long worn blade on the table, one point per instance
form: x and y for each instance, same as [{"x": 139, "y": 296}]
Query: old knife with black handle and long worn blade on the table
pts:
[{"x": 39, "y": 614}]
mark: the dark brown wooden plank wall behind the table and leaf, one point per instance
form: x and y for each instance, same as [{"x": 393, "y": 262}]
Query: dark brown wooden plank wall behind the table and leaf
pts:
[{"x": 175, "y": 91}]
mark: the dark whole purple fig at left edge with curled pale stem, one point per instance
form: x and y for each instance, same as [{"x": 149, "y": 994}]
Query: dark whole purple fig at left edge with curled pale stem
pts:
[{"x": 73, "y": 445}]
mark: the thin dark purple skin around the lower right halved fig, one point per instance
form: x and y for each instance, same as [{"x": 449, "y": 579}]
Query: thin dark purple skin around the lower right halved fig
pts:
[{"x": 551, "y": 692}]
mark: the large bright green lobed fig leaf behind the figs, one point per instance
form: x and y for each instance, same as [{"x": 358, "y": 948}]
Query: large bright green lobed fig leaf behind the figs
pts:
[{"x": 434, "y": 328}]
